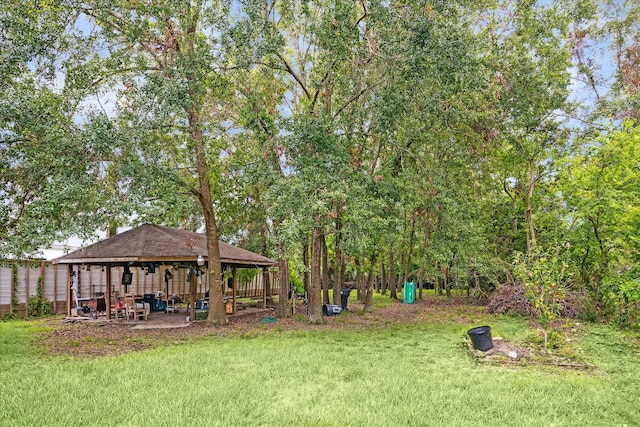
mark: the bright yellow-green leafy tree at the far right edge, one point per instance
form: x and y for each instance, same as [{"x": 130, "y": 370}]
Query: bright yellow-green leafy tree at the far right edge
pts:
[{"x": 600, "y": 187}]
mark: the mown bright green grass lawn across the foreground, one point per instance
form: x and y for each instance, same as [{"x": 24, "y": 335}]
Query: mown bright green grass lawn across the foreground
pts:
[{"x": 417, "y": 374}]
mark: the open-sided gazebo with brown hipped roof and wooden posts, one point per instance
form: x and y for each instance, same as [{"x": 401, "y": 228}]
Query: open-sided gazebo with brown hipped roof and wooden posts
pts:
[{"x": 152, "y": 247}]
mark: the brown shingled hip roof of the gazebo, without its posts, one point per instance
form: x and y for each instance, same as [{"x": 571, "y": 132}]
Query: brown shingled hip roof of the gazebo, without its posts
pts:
[{"x": 155, "y": 243}]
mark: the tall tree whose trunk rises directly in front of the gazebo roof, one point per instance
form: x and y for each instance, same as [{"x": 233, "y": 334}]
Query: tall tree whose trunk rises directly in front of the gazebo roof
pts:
[{"x": 168, "y": 62}]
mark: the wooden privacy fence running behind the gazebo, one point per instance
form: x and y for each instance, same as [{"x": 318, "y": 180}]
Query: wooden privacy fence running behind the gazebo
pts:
[{"x": 19, "y": 281}]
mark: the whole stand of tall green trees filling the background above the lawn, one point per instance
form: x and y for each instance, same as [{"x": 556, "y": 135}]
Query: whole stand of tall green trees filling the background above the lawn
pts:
[{"x": 466, "y": 144}]
